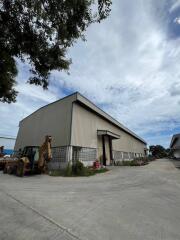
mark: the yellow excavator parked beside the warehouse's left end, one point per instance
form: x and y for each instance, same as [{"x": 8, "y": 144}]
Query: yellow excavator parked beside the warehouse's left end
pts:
[{"x": 32, "y": 160}]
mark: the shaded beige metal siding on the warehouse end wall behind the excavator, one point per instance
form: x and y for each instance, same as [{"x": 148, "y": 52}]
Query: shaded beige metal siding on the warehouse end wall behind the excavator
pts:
[{"x": 54, "y": 120}]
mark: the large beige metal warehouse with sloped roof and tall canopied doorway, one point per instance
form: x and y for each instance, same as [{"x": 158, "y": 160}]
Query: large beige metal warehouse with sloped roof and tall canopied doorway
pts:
[{"x": 80, "y": 130}]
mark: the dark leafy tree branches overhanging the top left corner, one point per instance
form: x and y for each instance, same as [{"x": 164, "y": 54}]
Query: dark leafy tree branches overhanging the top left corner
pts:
[{"x": 40, "y": 32}]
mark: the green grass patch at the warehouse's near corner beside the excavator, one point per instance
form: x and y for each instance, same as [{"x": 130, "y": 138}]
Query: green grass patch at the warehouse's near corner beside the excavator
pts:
[{"x": 77, "y": 170}]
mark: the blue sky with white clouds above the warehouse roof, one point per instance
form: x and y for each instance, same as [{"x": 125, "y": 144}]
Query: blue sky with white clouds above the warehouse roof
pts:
[{"x": 129, "y": 66}]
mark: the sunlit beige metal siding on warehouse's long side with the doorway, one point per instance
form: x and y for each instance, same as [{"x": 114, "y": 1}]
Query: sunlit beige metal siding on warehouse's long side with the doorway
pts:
[{"x": 84, "y": 132}]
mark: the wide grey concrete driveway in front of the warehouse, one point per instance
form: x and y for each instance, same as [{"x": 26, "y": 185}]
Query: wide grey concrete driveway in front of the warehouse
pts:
[{"x": 125, "y": 203}]
